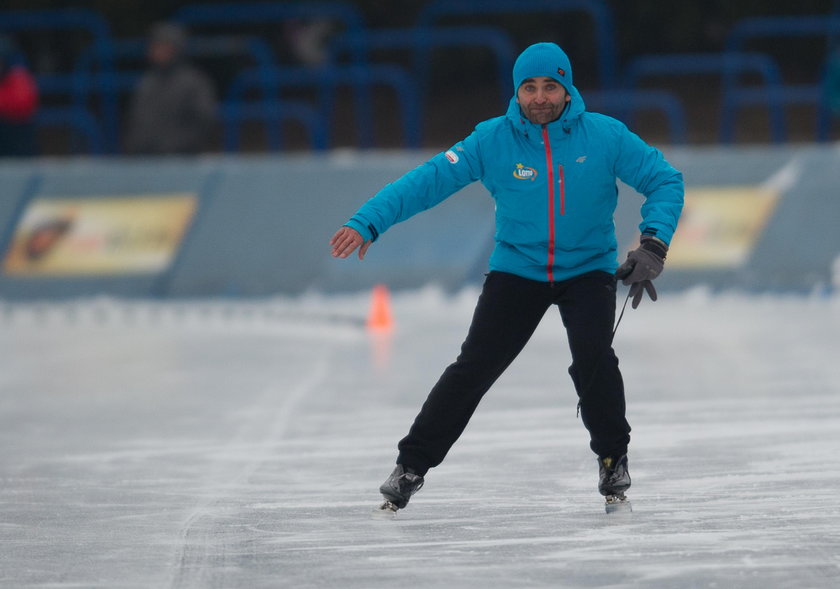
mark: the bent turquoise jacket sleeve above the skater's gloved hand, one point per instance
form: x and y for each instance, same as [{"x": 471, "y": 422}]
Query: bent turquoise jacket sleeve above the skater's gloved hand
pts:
[{"x": 644, "y": 168}]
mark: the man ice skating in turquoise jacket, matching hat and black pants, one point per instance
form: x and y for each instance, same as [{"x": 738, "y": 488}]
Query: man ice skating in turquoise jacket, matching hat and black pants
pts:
[{"x": 551, "y": 168}]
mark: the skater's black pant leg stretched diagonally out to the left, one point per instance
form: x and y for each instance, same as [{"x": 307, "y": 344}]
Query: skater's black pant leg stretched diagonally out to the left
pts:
[{"x": 508, "y": 311}]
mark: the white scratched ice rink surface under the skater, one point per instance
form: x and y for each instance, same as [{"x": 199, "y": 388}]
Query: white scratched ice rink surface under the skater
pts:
[{"x": 235, "y": 444}]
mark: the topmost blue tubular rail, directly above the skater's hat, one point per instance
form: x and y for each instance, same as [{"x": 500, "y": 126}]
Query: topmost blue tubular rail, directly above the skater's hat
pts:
[{"x": 596, "y": 9}]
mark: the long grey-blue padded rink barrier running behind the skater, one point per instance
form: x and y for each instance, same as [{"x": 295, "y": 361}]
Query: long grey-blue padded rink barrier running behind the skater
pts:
[{"x": 262, "y": 224}]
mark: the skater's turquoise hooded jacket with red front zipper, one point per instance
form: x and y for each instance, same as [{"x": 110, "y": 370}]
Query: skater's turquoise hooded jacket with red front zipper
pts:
[{"x": 554, "y": 186}]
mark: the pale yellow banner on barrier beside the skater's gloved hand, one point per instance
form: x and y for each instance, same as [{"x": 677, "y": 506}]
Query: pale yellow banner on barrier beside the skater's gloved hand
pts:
[{"x": 720, "y": 225}]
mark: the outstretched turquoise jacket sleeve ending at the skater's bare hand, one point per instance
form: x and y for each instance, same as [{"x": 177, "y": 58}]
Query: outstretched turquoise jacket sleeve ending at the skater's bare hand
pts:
[{"x": 420, "y": 189}]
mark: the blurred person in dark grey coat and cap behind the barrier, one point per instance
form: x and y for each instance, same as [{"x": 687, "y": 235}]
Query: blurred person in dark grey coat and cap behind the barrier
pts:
[{"x": 174, "y": 108}]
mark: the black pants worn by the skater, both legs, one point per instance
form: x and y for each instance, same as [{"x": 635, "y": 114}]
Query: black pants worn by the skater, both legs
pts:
[{"x": 507, "y": 314}]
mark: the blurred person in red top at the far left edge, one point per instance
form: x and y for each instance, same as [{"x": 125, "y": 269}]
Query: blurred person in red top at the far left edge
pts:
[{"x": 18, "y": 103}]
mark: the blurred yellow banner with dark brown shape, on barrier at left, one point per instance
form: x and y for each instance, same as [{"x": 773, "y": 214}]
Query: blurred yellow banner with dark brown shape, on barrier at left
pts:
[{"x": 98, "y": 236}]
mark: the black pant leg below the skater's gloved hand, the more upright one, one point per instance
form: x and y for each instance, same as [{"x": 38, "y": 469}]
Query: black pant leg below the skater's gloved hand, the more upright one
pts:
[{"x": 587, "y": 306}]
